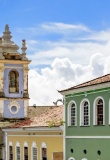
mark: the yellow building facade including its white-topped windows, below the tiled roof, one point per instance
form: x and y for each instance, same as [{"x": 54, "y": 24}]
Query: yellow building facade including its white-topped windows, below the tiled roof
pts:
[{"x": 48, "y": 140}]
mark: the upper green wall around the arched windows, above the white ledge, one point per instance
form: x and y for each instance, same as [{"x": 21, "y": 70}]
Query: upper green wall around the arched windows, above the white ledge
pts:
[{"x": 92, "y": 129}]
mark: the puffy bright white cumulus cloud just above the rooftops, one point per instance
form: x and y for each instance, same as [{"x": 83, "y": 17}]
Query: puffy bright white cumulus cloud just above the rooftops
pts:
[{"x": 62, "y": 74}]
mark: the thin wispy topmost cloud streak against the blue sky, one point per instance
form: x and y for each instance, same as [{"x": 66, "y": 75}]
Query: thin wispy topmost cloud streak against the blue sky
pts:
[{"x": 53, "y": 28}]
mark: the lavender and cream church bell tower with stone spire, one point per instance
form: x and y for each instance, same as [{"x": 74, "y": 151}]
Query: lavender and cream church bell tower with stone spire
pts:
[{"x": 14, "y": 97}]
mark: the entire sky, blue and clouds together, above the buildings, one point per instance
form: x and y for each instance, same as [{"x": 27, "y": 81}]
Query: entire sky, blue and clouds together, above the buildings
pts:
[{"x": 68, "y": 42}]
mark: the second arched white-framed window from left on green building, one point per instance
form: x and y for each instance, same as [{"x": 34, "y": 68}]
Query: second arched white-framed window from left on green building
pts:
[{"x": 85, "y": 113}]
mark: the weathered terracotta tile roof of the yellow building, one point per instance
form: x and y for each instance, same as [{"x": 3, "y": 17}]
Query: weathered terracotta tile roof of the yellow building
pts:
[{"x": 54, "y": 114}]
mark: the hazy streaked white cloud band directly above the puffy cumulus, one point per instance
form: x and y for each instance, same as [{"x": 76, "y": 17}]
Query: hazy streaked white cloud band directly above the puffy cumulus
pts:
[{"x": 79, "y": 53}]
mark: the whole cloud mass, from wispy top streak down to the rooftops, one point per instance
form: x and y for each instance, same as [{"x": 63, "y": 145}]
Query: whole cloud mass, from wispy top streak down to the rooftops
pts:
[{"x": 79, "y": 56}]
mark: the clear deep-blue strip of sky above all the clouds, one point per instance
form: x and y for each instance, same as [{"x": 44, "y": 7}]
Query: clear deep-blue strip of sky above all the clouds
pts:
[{"x": 93, "y": 13}]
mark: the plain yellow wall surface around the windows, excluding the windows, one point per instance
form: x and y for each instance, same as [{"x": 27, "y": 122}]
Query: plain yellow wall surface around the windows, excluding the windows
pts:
[{"x": 53, "y": 144}]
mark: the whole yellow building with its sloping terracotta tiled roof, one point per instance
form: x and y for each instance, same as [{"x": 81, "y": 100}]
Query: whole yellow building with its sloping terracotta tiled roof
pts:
[{"x": 38, "y": 138}]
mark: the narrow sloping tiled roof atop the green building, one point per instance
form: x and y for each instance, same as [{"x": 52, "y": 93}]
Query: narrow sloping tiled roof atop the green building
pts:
[{"x": 99, "y": 80}]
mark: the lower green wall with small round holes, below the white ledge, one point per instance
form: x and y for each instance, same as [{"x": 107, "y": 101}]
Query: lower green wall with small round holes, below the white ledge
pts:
[{"x": 92, "y": 146}]
